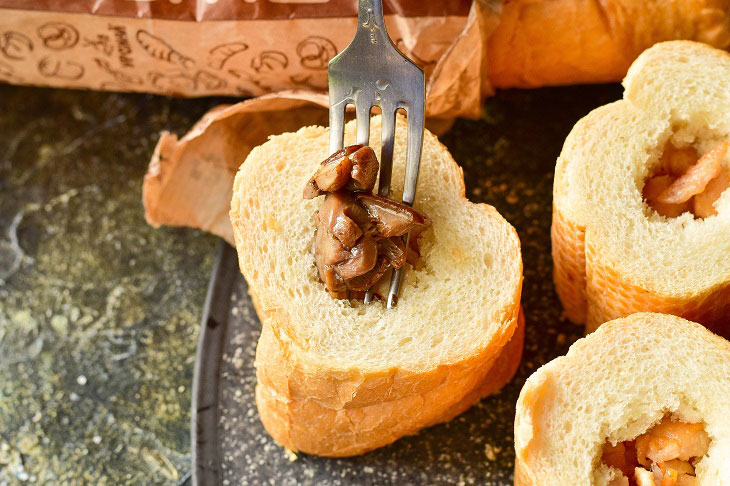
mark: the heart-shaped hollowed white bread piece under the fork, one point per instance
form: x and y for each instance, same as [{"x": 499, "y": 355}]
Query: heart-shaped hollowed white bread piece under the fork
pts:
[{"x": 340, "y": 378}]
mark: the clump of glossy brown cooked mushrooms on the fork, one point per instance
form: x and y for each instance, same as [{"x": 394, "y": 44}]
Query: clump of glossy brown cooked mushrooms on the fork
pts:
[{"x": 359, "y": 236}]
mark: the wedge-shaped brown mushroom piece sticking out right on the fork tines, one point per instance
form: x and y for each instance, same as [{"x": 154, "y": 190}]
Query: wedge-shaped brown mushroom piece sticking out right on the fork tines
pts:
[{"x": 392, "y": 218}]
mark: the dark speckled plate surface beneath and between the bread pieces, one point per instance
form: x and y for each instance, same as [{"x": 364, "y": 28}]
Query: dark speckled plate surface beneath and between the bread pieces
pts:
[{"x": 508, "y": 158}]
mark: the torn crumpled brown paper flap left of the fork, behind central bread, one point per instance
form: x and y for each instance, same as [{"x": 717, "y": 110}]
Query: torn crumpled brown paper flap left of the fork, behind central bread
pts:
[{"x": 189, "y": 180}]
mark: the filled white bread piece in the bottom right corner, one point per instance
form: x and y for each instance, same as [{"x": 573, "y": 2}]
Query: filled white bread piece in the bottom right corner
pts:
[{"x": 614, "y": 385}]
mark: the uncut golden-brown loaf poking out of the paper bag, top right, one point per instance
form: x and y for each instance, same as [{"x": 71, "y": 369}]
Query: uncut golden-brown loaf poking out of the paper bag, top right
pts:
[{"x": 558, "y": 42}]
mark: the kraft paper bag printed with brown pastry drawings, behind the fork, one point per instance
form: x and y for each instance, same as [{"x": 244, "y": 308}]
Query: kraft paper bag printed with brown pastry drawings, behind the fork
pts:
[{"x": 207, "y": 47}]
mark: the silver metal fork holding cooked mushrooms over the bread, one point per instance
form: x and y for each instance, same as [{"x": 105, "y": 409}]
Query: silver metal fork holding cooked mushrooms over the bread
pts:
[{"x": 372, "y": 72}]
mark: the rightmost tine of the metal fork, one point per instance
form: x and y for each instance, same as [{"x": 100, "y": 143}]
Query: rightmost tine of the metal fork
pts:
[{"x": 413, "y": 162}]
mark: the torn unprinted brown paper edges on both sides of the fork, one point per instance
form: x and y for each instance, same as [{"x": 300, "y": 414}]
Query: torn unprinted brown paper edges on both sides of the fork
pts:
[{"x": 189, "y": 180}]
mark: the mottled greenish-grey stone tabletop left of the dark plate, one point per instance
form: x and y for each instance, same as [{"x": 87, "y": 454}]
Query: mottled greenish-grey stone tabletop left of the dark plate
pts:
[{"x": 98, "y": 311}]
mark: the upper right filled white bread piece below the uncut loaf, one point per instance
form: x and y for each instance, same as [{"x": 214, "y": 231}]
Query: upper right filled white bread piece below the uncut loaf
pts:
[{"x": 613, "y": 254}]
